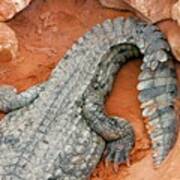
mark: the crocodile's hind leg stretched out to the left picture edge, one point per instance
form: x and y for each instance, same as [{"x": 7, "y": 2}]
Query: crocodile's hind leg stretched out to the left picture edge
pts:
[{"x": 11, "y": 100}]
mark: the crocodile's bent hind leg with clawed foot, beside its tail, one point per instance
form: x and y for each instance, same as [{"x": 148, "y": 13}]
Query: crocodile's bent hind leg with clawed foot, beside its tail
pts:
[{"x": 115, "y": 130}]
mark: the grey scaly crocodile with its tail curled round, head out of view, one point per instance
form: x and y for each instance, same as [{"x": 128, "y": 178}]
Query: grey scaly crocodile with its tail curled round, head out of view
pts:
[{"x": 59, "y": 130}]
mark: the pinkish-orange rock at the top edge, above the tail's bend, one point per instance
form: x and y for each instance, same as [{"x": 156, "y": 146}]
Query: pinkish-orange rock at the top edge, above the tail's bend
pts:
[{"x": 149, "y": 10}]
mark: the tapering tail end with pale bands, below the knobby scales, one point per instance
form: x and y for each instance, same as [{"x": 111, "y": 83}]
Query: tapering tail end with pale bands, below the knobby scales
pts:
[{"x": 157, "y": 94}]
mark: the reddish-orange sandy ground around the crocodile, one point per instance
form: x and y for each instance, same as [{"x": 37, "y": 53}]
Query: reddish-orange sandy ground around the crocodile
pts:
[{"x": 45, "y": 30}]
